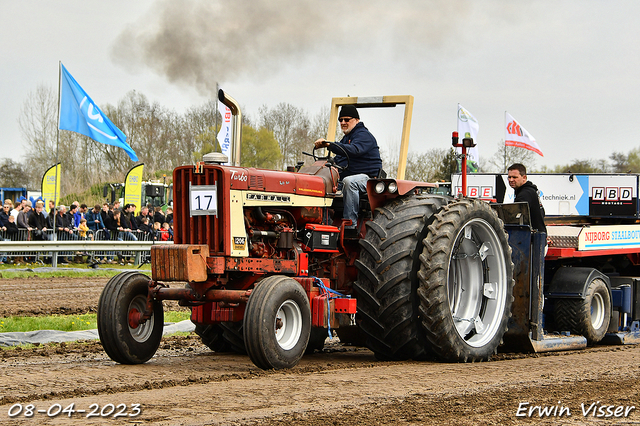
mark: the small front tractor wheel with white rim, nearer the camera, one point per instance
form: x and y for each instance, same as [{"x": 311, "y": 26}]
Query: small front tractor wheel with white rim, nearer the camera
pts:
[{"x": 277, "y": 323}]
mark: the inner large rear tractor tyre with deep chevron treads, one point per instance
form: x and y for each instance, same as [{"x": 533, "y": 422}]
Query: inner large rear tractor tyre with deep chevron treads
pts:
[{"x": 387, "y": 284}]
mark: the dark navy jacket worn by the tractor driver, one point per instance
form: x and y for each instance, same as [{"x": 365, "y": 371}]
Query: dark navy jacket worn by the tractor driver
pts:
[{"x": 363, "y": 151}]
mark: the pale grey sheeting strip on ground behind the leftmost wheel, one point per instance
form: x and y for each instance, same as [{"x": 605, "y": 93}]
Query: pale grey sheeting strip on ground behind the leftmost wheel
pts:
[{"x": 47, "y": 336}]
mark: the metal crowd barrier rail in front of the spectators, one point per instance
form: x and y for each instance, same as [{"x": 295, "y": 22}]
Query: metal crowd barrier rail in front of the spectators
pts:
[{"x": 98, "y": 247}]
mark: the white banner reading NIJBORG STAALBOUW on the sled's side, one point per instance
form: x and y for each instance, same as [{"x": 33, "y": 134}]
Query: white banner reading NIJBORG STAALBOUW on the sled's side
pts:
[{"x": 609, "y": 237}]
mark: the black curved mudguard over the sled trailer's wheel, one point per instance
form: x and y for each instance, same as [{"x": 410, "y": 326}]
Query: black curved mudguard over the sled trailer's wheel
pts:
[{"x": 573, "y": 282}]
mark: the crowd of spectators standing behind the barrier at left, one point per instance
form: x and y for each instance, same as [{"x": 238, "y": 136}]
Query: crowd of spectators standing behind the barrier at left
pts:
[{"x": 26, "y": 222}]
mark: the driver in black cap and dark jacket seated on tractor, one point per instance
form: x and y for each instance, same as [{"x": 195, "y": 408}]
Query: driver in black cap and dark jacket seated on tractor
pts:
[{"x": 364, "y": 160}]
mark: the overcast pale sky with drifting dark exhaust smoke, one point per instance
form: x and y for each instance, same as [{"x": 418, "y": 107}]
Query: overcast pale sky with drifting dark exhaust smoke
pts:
[{"x": 568, "y": 71}]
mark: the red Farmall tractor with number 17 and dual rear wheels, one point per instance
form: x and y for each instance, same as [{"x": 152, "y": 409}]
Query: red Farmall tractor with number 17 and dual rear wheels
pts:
[{"x": 261, "y": 259}]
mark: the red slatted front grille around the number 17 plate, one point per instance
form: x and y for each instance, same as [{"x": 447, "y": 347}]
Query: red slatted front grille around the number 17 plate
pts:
[{"x": 208, "y": 229}]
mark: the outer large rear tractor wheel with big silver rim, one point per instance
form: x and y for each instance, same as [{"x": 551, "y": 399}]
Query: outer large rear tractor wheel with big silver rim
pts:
[{"x": 466, "y": 282}]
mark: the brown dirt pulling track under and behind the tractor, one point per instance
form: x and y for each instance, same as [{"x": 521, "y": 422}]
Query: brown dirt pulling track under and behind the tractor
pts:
[{"x": 185, "y": 383}]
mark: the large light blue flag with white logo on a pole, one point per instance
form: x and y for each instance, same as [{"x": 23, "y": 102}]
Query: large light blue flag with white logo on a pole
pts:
[{"x": 80, "y": 114}]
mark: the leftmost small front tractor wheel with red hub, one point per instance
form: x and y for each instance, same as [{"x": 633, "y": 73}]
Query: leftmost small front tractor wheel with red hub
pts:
[{"x": 124, "y": 339}]
